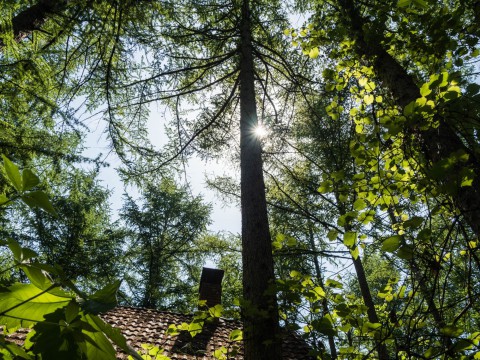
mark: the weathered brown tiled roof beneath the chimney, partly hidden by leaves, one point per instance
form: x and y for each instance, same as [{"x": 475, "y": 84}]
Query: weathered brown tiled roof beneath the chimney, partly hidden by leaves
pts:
[{"x": 147, "y": 326}]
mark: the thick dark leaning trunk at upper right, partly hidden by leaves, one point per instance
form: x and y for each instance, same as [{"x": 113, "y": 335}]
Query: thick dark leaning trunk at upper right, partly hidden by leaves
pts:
[{"x": 437, "y": 143}]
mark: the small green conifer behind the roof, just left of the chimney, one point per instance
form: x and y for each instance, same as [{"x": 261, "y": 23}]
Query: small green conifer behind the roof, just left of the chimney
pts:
[{"x": 163, "y": 228}]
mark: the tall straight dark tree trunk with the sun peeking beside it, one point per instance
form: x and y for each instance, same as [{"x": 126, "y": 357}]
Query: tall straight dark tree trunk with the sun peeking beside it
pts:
[{"x": 260, "y": 314}]
